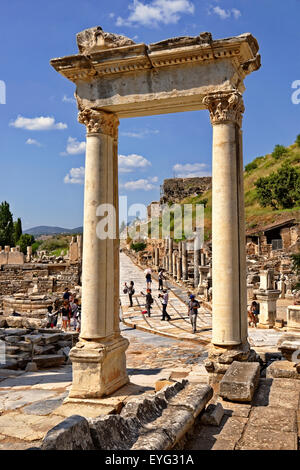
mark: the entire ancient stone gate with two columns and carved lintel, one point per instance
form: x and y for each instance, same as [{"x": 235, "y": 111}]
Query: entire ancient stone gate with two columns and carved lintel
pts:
[{"x": 116, "y": 78}]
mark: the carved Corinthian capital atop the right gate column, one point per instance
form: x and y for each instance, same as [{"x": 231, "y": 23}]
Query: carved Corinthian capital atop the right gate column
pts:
[{"x": 225, "y": 107}]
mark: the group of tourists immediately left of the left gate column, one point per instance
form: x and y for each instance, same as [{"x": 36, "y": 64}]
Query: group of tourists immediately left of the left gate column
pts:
[{"x": 69, "y": 311}]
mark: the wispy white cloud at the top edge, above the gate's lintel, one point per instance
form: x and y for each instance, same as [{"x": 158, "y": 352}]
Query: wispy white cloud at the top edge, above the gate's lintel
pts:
[{"x": 157, "y": 11}]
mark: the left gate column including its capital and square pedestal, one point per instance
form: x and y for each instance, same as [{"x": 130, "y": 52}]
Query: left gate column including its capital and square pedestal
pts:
[{"x": 98, "y": 359}]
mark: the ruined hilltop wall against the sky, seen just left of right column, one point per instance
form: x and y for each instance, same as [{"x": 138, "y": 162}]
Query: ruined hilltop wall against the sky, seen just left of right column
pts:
[{"x": 176, "y": 189}]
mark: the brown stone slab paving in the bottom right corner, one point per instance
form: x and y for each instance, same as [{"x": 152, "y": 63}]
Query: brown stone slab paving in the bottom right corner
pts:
[{"x": 270, "y": 422}]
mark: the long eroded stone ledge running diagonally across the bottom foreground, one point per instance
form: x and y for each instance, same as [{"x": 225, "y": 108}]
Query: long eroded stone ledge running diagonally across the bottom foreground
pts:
[{"x": 149, "y": 422}]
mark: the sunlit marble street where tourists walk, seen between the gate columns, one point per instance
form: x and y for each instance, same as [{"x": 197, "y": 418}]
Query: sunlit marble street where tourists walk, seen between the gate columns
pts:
[{"x": 178, "y": 328}]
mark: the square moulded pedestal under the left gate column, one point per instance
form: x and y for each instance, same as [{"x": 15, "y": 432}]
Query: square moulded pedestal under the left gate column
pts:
[{"x": 99, "y": 367}]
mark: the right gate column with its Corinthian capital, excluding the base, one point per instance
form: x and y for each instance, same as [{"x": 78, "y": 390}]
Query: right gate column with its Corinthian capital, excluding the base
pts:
[{"x": 228, "y": 243}]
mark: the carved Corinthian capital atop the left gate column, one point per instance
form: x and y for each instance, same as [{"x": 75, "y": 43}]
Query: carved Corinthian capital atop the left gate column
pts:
[{"x": 99, "y": 122}]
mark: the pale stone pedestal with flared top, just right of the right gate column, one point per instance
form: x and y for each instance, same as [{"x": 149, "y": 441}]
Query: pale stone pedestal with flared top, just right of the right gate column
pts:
[{"x": 267, "y": 307}]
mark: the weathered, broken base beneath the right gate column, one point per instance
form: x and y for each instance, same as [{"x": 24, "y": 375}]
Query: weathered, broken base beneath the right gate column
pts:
[{"x": 221, "y": 357}]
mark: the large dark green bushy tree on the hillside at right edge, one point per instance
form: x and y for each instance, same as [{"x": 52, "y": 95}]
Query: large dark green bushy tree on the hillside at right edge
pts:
[{"x": 280, "y": 189}]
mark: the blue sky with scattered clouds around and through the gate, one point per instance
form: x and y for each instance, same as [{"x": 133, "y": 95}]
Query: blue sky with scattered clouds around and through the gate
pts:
[{"x": 42, "y": 160}]
